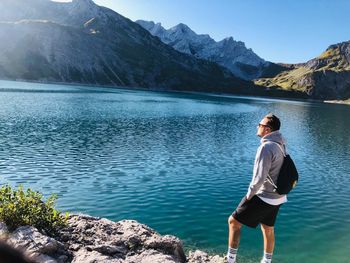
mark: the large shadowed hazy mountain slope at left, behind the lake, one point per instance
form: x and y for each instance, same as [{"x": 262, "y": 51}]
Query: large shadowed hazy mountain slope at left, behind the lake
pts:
[{"x": 82, "y": 42}]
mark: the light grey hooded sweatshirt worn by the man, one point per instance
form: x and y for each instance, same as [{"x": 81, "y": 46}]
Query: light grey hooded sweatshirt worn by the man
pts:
[{"x": 268, "y": 161}]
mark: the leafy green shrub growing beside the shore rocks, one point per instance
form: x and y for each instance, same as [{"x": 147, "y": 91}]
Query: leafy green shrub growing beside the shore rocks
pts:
[{"x": 20, "y": 207}]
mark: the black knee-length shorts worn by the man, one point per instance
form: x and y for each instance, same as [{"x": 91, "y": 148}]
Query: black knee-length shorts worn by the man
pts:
[{"x": 255, "y": 211}]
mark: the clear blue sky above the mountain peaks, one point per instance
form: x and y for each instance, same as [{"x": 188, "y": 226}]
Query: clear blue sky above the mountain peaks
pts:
[{"x": 288, "y": 31}]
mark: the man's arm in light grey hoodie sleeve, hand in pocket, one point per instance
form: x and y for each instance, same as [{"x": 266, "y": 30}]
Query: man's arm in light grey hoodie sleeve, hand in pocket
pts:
[{"x": 262, "y": 166}]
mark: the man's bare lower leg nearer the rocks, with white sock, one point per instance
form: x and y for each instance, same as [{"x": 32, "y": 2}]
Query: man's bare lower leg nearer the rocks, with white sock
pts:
[{"x": 233, "y": 239}]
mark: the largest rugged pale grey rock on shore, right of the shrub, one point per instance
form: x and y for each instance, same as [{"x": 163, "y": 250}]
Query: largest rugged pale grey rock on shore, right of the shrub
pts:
[{"x": 126, "y": 240}]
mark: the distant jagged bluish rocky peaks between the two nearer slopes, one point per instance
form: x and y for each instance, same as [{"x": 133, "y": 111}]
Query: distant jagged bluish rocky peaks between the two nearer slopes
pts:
[{"x": 241, "y": 61}]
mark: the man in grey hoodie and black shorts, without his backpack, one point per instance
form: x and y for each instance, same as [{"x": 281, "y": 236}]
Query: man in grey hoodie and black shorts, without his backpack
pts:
[{"x": 261, "y": 203}]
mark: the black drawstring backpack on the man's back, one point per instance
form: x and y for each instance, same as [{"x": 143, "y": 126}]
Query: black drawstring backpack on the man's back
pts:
[{"x": 287, "y": 177}]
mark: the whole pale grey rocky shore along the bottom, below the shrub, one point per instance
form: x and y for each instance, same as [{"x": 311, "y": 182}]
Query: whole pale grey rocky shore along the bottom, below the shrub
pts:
[{"x": 89, "y": 239}]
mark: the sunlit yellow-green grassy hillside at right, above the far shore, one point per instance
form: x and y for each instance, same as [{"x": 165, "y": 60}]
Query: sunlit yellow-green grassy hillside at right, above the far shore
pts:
[{"x": 324, "y": 77}]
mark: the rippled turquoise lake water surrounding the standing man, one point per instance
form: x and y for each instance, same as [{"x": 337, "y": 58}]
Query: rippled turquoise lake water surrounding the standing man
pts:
[{"x": 179, "y": 163}]
